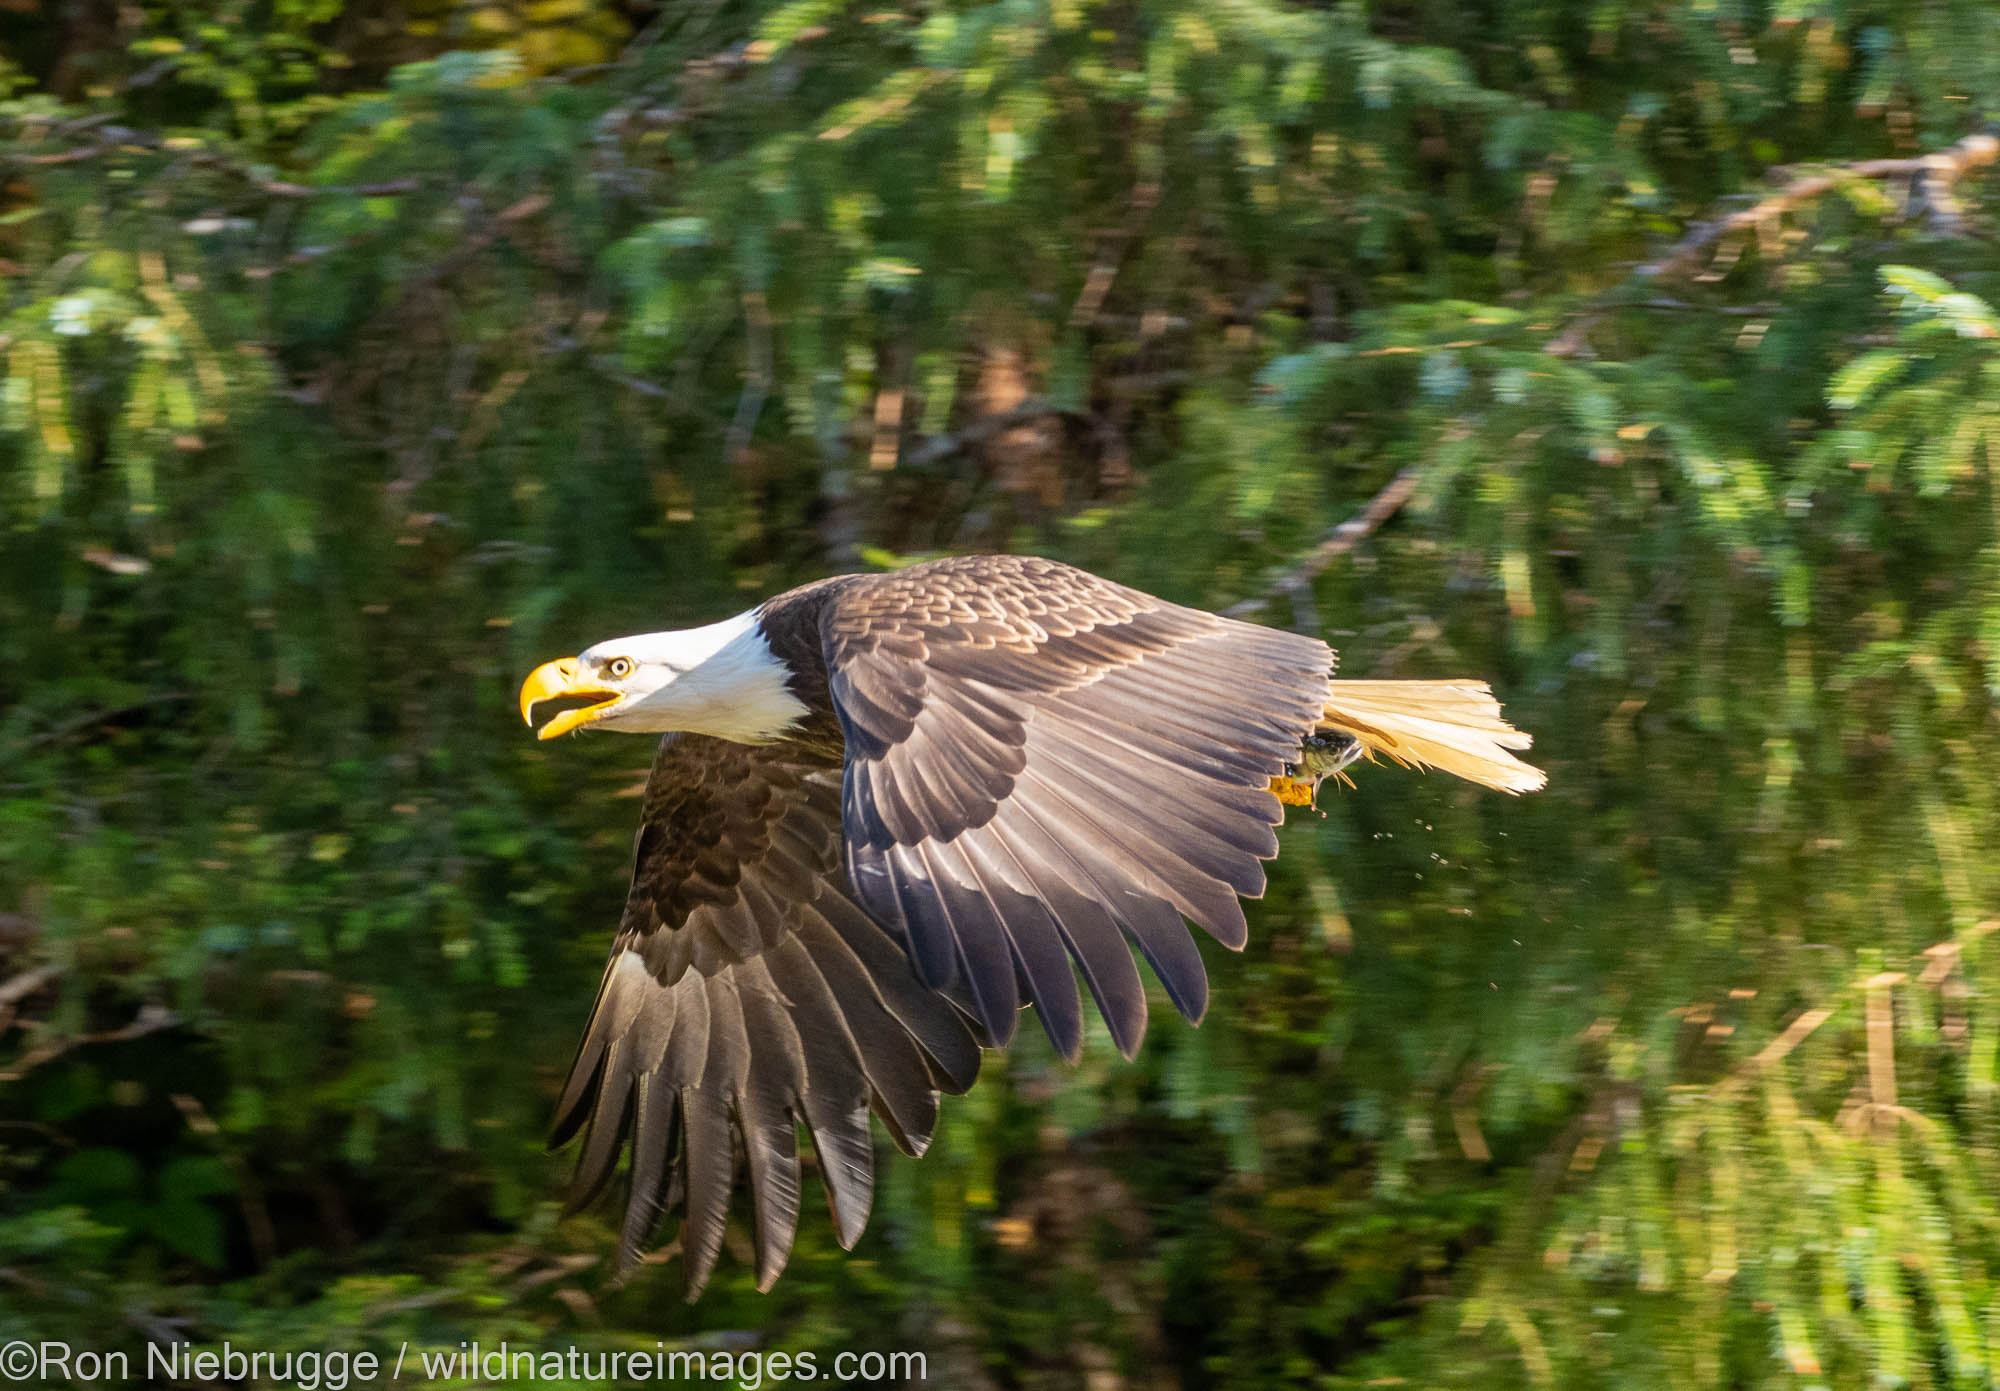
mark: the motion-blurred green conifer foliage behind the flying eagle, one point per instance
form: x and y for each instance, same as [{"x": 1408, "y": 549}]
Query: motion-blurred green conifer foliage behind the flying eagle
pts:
[{"x": 361, "y": 355}]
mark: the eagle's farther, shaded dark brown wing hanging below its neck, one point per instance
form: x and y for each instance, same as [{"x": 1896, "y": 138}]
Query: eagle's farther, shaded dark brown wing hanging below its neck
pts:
[{"x": 749, "y": 994}]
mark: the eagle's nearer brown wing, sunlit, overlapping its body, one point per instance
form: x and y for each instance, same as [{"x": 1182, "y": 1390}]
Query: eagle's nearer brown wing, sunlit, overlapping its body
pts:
[{"x": 1041, "y": 762}]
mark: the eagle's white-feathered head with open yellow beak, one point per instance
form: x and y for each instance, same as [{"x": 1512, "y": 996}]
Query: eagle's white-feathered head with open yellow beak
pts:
[{"x": 719, "y": 681}]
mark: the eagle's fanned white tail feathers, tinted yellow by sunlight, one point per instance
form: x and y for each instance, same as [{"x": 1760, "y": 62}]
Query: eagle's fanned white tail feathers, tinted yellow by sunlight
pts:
[{"x": 1435, "y": 724}]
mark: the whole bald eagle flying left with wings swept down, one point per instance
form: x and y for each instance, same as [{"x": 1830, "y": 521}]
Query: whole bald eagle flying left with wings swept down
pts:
[{"x": 889, "y": 812}]
